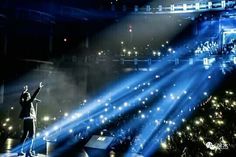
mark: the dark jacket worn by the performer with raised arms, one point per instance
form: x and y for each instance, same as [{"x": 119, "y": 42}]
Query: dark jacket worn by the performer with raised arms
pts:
[{"x": 27, "y": 106}]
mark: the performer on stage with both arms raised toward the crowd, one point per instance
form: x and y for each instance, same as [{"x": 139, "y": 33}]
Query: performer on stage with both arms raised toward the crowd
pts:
[{"x": 28, "y": 115}]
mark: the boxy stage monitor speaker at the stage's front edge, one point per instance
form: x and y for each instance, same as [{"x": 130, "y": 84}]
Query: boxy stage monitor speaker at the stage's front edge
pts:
[{"x": 98, "y": 146}]
